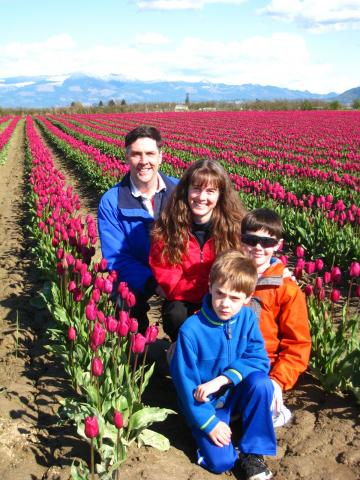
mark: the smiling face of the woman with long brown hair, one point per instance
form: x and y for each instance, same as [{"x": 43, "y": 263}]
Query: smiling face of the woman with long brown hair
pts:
[{"x": 202, "y": 201}]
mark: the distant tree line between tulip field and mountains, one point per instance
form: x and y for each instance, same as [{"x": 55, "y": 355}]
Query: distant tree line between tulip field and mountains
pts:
[{"x": 119, "y": 106}]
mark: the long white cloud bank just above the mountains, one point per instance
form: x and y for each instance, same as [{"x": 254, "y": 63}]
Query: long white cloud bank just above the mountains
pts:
[{"x": 280, "y": 59}]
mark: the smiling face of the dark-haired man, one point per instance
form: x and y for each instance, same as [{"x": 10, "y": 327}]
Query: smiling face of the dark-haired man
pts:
[{"x": 144, "y": 159}]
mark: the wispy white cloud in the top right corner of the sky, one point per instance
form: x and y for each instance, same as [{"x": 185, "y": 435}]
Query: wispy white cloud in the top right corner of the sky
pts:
[{"x": 315, "y": 15}]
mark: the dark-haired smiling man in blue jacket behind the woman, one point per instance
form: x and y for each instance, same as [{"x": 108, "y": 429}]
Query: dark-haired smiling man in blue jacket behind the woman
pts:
[{"x": 126, "y": 213}]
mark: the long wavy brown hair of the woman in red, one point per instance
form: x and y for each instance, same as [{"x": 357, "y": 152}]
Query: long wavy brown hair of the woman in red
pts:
[{"x": 174, "y": 224}]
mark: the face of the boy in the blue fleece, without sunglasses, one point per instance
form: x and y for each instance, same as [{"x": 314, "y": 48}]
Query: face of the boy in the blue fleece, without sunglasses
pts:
[{"x": 225, "y": 302}]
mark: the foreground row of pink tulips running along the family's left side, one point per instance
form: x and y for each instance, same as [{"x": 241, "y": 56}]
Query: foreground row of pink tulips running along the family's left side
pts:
[{"x": 94, "y": 335}]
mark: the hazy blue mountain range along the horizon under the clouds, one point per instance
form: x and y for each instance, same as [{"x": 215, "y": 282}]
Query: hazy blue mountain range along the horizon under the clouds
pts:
[{"x": 62, "y": 90}]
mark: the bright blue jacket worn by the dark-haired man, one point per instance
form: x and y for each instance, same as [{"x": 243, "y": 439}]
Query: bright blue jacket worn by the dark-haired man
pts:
[{"x": 124, "y": 229}]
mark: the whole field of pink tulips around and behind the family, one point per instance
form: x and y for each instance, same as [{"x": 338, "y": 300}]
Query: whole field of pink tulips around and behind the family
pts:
[{"x": 305, "y": 165}]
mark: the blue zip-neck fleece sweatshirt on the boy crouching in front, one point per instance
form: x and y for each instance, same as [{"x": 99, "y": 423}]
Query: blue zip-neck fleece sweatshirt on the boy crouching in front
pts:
[{"x": 208, "y": 347}]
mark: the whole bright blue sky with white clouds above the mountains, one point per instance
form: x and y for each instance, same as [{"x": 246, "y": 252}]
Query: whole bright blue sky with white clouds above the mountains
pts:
[{"x": 298, "y": 44}]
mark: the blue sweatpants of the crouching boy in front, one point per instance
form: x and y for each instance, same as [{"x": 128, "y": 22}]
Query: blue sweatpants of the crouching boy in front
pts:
[{"x": 251, "y": 400}]
